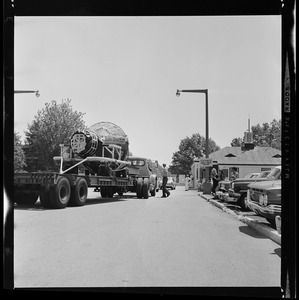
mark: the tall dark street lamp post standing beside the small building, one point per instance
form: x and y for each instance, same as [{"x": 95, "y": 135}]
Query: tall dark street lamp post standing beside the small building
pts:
[{"x": 207, "y": 184}]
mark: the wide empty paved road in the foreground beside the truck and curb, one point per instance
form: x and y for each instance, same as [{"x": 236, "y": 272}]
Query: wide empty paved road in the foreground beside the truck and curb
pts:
[{"x": 181, "y": 240}]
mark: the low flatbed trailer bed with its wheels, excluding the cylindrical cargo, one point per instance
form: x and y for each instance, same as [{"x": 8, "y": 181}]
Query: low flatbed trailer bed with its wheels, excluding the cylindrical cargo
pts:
[{"x": 57, "y": 190}]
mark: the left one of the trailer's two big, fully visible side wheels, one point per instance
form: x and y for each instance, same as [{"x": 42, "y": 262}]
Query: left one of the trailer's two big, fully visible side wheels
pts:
[{"x": 60, "y": 193}]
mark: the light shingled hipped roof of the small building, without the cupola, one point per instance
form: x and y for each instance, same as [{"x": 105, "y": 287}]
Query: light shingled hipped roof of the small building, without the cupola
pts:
[{"x": 239, "y": 156}]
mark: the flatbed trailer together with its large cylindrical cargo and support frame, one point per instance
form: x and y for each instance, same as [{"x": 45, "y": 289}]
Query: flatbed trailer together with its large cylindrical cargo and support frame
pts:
[{"x": 96, "y": 157}]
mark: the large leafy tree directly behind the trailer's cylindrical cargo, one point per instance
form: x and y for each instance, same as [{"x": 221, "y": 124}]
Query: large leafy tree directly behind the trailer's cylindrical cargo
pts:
[{"x": 52, "y": 126}]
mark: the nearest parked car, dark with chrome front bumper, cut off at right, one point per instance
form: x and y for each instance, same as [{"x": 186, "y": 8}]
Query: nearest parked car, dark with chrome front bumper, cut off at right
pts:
[{"x": 264, "y": 198}]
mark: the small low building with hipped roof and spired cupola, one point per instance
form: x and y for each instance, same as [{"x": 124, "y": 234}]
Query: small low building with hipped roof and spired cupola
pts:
[{"x": 246, "y": 159}]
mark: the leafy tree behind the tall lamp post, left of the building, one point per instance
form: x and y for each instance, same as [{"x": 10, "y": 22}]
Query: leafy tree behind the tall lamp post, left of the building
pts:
[{"x": 190, "y": 148}]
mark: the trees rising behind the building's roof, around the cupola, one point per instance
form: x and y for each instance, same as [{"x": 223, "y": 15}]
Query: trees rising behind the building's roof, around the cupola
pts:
[{"x": 267, "y": 135}]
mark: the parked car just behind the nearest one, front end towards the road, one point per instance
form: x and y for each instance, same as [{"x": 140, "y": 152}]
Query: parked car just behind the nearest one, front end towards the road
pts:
[{"x": 237, "y": 190}]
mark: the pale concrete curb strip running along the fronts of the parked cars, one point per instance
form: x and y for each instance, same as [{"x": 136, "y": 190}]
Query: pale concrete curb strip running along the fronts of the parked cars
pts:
[{"x": 261, "y": 228}]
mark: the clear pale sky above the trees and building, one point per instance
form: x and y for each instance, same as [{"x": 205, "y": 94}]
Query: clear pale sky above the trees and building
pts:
[{"x": 126, "y": 70}]
